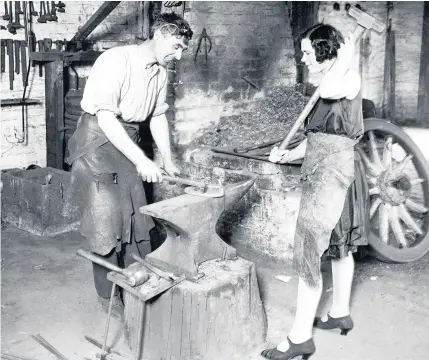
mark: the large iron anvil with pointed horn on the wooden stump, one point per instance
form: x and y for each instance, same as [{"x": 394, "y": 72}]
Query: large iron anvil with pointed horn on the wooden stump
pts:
[{"x": 190, "y": 222}]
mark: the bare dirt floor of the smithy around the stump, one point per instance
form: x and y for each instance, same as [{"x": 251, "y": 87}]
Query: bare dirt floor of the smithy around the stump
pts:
[{"x": 48, "y": 290}]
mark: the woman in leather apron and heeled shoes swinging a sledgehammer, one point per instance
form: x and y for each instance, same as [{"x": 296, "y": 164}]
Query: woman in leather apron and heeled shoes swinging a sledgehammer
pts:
[{"x": 332, "y": 213}]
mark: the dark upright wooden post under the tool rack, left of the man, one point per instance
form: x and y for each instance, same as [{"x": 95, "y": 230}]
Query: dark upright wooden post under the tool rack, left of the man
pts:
[{"x": 54, "y": 104}]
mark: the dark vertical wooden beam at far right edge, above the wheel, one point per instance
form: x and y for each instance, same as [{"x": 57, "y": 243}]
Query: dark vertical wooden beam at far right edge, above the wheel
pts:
[{"x": 423, "y": 95}]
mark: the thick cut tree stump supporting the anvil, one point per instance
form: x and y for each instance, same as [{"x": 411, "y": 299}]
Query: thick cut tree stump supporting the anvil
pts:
[{"x": 217, "y": 317}]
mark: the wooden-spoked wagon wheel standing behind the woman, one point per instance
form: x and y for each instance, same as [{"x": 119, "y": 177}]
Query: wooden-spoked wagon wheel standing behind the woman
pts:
[{"x": 398, "y": 181}]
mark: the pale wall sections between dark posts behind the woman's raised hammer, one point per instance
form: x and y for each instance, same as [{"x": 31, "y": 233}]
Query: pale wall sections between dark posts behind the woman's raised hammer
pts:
[{"x": 407, "y": 22}]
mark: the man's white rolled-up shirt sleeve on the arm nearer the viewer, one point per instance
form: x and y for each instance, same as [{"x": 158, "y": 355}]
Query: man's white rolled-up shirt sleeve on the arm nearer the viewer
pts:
[{"x": 103, "y": 87}]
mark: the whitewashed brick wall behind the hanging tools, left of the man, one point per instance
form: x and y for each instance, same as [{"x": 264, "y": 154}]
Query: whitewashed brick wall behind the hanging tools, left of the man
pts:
[{"x": 119, "y": 26}]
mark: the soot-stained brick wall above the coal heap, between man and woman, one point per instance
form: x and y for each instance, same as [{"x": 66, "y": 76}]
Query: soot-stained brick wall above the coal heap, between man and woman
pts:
[{"x": 250, "y": 39}]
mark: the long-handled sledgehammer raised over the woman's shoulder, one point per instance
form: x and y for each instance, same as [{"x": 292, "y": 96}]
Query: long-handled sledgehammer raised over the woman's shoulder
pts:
[{"x": 365, "y": 21}]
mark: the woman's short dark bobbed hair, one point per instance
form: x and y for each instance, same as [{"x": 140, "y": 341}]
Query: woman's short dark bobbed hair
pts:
[{"x": 325, "y": 39}]
